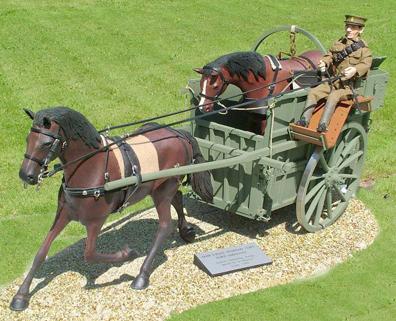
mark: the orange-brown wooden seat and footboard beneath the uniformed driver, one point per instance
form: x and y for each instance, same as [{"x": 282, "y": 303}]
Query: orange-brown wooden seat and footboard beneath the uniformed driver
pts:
[{"x": 329, "y": 138}]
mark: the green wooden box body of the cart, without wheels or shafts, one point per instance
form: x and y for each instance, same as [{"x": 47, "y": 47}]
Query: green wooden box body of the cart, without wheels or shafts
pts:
[{"x": 254, "y": 189}]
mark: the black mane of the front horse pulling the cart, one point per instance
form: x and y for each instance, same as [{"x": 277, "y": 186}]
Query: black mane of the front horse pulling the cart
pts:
[{"x": 73, "y": 124}]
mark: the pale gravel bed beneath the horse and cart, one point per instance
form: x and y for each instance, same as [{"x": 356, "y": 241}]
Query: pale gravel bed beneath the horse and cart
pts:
[{"x": 66, "y": 288}]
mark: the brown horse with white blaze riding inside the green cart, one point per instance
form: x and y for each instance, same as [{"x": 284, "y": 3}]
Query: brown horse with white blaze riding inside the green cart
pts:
[{"x": 258, "y": 77}]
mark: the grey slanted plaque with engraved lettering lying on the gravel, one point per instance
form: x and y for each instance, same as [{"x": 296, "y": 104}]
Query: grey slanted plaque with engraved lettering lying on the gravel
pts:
[{"x": 232, "y": 259}]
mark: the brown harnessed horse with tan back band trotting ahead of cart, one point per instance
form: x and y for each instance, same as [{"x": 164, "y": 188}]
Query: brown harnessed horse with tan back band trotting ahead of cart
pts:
[{"x": 90, "y": 160}]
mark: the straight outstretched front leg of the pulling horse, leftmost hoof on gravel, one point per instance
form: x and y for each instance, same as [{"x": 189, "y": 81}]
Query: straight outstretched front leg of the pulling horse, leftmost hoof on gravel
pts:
[{"x": 21, "y": 300}]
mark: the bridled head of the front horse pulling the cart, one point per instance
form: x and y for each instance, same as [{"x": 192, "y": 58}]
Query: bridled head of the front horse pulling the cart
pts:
[{"x": 44, "y": 143}]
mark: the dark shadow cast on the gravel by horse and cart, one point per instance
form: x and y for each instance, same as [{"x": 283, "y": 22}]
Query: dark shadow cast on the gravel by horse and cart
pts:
[{"x": 138, "y": 235}]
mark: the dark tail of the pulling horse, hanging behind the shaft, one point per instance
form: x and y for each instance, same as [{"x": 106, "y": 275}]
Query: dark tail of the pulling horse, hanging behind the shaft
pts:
[{"x": 200, "y": 182}]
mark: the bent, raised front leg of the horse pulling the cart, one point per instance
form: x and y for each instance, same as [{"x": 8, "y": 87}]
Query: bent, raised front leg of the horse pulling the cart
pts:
[{"x": 90, "y": 254}]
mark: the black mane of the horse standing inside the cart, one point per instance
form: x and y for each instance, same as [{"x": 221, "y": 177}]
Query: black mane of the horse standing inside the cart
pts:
[{"x": 239, "y": 63}]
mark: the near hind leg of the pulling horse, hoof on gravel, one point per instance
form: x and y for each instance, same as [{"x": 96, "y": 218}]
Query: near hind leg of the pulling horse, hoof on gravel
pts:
[{"x": 164, "y": 230}]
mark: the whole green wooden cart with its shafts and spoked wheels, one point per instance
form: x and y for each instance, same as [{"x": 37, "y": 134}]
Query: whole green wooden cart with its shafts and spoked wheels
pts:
[{"x": 252, "y": 175}]
